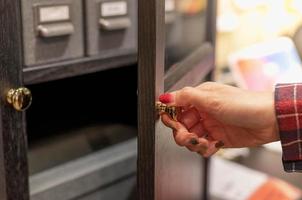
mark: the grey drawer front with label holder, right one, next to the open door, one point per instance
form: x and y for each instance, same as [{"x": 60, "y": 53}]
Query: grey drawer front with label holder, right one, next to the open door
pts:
[{"x": 111, "y": 27}]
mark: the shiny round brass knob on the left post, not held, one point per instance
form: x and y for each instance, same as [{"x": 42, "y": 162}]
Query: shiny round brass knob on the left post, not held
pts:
[{"x": 19, "y": 98}]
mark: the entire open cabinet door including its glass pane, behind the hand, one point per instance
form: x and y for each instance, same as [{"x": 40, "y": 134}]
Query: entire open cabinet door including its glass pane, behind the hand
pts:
[{"x": 166, "y": 171}]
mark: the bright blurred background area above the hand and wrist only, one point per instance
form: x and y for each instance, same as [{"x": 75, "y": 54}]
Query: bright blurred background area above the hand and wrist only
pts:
[{"x": 249, "y": 32}]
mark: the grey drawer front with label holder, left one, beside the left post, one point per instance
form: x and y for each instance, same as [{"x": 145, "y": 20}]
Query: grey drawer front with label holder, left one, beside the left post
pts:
[{"x": 52, "y": 30}]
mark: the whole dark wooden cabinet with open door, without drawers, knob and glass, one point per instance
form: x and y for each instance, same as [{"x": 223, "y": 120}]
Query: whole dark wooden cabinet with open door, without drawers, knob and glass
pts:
[{"x": 76, "y": 93}]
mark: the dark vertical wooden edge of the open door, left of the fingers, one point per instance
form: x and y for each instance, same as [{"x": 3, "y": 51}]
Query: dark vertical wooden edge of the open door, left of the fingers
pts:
[{"x": 150, "y": 84}]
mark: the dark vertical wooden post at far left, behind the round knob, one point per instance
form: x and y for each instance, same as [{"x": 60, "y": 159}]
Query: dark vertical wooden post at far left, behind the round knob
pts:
[{"x": 13, "y": 142}]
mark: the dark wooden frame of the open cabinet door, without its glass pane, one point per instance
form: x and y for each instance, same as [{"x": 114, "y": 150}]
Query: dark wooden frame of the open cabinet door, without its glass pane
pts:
[{"x": 166, "y": 171}]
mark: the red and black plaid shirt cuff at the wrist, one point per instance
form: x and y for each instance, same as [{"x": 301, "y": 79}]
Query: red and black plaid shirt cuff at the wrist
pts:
[{"x": 288, "y": 105}]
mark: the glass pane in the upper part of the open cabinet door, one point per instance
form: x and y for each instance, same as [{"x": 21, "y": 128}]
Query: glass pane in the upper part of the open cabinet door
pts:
[{"x": 185, "y": 28}]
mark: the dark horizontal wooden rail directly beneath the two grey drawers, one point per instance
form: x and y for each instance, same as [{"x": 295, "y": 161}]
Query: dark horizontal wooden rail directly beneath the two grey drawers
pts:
[{"x": 55, "y": 71}]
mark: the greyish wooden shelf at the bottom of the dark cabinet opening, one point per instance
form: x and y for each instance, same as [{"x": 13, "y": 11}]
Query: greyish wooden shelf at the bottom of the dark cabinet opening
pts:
[{"x": 89, "y": 174}]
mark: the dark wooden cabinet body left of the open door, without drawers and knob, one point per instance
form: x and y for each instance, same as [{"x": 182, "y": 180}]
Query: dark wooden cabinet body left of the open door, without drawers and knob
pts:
[{"x": 66, "y": 91}]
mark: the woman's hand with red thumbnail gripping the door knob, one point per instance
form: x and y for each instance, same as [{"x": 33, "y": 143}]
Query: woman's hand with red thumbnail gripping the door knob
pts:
[{"x": 215, "y": 115}]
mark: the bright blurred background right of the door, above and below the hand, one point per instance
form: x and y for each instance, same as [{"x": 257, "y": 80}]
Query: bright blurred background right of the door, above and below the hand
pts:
[{"x": 258, "y": 44}]
